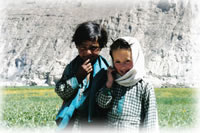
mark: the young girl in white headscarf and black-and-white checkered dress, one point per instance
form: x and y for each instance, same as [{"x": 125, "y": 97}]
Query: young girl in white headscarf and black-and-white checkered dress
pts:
[{"x": 131, "y": 101}]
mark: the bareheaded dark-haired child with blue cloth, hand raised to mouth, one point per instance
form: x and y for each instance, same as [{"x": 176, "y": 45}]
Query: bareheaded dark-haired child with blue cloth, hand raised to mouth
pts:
[{"x": 77, "y": 84}]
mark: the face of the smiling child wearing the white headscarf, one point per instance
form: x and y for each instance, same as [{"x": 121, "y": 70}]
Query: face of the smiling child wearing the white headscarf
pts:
[{"x": 122, "y": 60}]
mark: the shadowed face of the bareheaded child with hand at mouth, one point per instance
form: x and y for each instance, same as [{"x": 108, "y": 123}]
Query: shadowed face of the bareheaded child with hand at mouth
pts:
[{"x": 89, "y": 50}]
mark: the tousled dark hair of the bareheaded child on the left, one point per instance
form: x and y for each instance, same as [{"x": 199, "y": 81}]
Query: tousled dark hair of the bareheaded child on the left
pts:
[{"x": 90, "y": 31}]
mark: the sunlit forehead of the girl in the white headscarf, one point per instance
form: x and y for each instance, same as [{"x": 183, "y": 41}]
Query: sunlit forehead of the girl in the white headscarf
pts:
[{"x": 121, "y": 54}]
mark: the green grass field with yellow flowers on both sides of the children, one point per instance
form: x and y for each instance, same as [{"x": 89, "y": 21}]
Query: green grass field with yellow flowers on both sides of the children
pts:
[{"x": 38, "y": 106}]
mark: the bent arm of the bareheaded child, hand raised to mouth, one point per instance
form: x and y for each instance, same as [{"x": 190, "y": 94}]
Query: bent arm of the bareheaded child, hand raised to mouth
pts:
[{"x": 72, "y": 79}]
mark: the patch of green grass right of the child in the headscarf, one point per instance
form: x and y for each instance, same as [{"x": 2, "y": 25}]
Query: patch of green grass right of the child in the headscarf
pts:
[{"x": 176, "y": 107}]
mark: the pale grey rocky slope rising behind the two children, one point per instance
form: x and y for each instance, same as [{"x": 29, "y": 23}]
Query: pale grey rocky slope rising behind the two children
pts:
[{"x": 36, "y": 38}]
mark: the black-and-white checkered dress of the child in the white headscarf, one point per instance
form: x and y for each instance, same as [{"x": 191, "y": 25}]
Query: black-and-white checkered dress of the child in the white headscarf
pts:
[{"x": 130, "y": 107}]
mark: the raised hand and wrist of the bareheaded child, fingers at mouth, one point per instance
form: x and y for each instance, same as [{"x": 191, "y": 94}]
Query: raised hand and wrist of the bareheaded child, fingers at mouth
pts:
[{"x": 84, "y": 70}]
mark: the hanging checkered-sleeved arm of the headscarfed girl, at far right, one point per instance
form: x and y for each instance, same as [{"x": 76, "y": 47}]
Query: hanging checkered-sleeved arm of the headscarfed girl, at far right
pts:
[{"x": 150, "y": 109}]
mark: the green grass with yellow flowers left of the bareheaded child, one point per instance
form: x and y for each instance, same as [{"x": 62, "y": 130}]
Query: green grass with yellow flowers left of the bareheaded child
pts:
[{"x": 30, "y": 107}]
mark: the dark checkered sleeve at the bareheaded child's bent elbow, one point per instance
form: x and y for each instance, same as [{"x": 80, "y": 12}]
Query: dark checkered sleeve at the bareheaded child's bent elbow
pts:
[{"x": 65, "y": 90}]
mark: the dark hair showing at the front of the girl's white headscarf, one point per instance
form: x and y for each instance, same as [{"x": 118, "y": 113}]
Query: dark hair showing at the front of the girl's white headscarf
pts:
[{"x": 119, "y": 44}]
